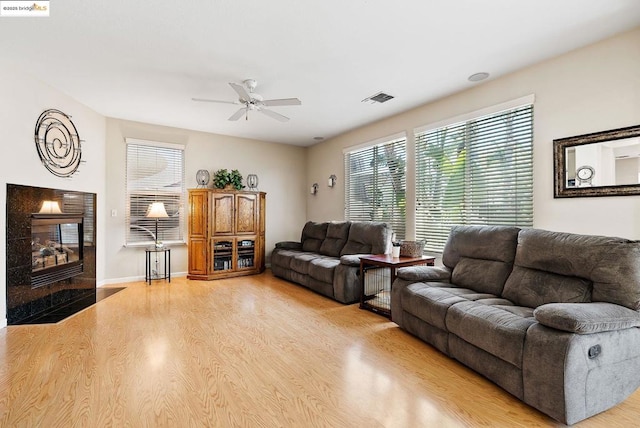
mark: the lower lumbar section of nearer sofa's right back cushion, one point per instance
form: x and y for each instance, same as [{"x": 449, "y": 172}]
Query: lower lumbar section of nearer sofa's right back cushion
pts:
[{"x": 532, "y": 288}]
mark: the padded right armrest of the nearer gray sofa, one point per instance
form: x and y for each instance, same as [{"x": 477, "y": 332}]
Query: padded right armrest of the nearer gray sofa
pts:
[{"x": 586, "y": 318}]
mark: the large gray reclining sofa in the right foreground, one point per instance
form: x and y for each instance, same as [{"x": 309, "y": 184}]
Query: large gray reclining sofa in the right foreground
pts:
[{"x": 550, "y": 317}]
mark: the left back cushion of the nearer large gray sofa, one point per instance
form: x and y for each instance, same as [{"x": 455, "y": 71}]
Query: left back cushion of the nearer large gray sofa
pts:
[{"x": 481, "y": 257}]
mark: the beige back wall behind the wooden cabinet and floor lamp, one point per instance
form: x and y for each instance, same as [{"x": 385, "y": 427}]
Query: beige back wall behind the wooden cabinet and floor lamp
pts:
[{"x": 280, "y": 169}]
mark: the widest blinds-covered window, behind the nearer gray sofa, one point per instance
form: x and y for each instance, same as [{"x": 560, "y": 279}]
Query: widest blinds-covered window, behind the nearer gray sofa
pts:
[{"x": 479, "y": 172}]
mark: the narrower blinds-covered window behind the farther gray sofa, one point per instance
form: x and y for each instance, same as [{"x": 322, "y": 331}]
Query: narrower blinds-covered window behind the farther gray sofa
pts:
[{"x": 375, "y": 184}]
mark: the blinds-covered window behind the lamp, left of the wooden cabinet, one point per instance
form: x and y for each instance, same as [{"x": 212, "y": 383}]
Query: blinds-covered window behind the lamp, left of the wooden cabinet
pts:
[{"x": 155, "y": 173}]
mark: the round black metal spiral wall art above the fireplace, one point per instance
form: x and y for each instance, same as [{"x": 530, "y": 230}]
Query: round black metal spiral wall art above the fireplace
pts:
[{"x": 58, "y": 143}]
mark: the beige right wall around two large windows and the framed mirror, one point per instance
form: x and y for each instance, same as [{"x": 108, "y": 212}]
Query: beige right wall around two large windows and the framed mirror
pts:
[{"x": 588, "y": 90}]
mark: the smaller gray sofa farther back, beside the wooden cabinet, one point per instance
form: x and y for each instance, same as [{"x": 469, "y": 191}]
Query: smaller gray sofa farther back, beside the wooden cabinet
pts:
[{"x": 326, "y": 258}]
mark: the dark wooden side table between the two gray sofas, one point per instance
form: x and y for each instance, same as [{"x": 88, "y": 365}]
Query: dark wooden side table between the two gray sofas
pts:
[{"x": 378, "y": 298}]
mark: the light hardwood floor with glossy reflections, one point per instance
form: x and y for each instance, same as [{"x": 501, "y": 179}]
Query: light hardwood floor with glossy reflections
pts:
[{"x": 252, "y": 351}]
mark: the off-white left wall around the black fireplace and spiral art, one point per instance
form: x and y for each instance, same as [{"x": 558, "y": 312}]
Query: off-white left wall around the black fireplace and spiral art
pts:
[{"x": 22, "y": 100}]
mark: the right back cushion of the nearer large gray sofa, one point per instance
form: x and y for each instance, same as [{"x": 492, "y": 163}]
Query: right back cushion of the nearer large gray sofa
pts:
[{"x": 557, "y": 267}]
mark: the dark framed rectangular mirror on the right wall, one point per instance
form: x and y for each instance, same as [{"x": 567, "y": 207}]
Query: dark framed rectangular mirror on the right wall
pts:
[{"x": 600, "y": 164}]
